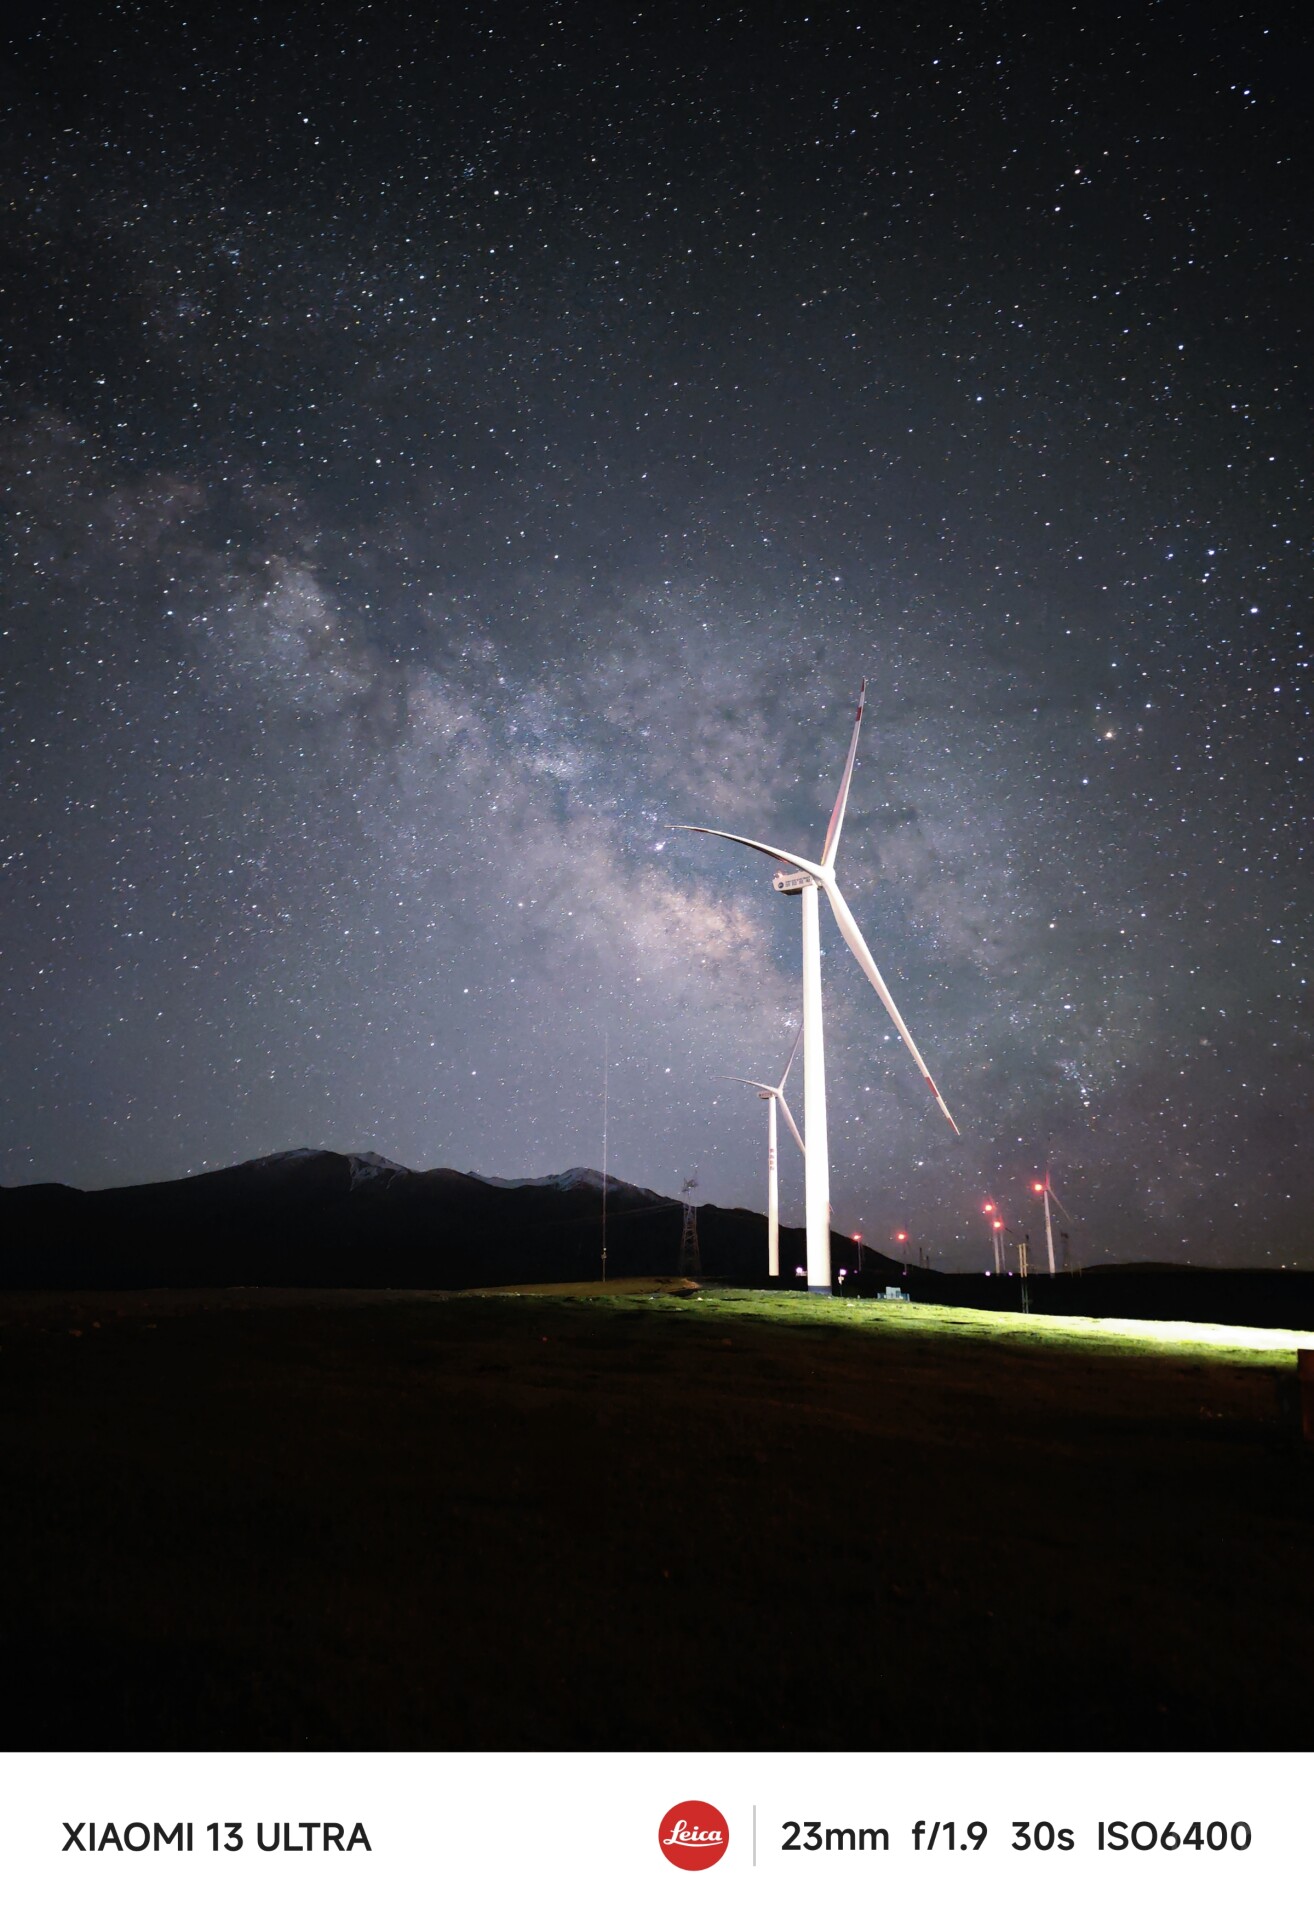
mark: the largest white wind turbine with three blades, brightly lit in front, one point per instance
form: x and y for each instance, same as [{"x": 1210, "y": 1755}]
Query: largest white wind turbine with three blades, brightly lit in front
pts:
[{"x": 812, "y": 878}]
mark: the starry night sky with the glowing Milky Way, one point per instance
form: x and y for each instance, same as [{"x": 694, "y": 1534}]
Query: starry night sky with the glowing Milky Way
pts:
[{"x": 447, "y": 444}]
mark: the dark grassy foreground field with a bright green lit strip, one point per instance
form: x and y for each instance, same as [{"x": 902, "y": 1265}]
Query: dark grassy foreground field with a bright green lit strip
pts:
[{"x": 412, "y": 1522}]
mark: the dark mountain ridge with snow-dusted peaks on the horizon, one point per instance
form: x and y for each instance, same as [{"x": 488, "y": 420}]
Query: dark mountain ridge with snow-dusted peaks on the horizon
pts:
[{"x": 312, "y": 1218}]
